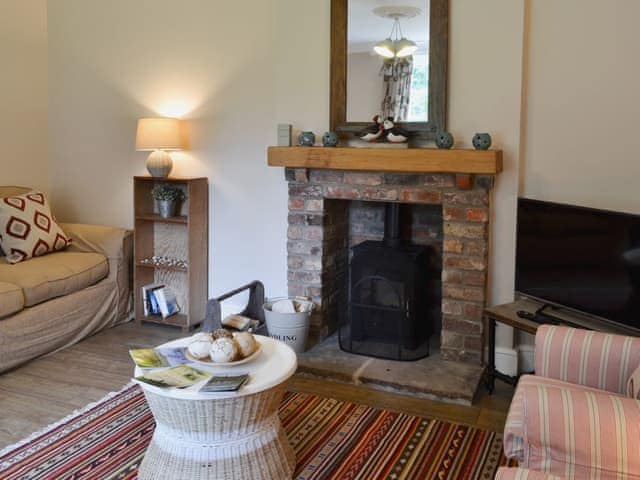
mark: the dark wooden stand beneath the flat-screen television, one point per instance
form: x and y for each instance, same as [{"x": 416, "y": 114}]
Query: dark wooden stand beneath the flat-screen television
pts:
[{"x": 527, "y": 315}]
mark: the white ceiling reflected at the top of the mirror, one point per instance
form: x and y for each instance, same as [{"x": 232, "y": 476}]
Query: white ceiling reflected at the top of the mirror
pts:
[{"x": 365, "y": 28}]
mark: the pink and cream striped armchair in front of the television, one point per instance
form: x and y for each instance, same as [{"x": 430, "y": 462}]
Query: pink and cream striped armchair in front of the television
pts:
[{"x": 573, "y": 418}]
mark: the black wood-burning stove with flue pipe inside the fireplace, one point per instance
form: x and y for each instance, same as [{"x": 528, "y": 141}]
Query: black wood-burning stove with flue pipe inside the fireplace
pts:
[{"x": 387, "y": 307}]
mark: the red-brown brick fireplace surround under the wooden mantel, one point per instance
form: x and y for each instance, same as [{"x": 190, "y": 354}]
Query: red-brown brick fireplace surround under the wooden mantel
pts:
[{"x": 318, "y": 241}]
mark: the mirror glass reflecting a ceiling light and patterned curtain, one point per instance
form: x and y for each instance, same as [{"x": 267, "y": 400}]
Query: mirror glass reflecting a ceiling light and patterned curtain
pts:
[{"x": 388, "y": 60}]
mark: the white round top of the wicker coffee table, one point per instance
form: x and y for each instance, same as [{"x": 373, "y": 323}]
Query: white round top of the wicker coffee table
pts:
[{"x": 274, "y": 365}]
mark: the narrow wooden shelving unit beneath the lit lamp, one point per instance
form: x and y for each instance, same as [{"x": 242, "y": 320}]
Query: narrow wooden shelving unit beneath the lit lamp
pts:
[{"x": 183, "y": 237}]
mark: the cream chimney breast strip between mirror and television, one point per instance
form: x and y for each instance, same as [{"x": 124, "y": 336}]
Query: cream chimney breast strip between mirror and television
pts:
[{"x": 485, "y": 80}]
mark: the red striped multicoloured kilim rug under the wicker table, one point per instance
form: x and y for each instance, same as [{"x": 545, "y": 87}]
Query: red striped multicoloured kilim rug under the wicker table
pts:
[{"x": 331, "y": 439}]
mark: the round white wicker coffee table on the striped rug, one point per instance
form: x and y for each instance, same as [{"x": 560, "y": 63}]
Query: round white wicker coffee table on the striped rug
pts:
[{"x": 230, "y": 435}]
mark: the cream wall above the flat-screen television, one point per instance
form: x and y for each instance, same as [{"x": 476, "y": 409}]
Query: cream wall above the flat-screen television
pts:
[{"x": 583, "y": 104}]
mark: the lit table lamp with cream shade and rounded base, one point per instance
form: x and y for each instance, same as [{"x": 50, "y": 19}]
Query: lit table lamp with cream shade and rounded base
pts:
[{"x": 159, "y": 135}]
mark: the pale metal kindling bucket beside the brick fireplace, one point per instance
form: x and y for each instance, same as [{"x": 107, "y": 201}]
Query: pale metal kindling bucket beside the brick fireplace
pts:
[{"x": 290, "y": 328}]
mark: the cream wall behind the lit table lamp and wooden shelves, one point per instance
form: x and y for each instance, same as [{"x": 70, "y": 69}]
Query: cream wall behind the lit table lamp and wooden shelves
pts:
[{"x": 210, "y": 62}]
